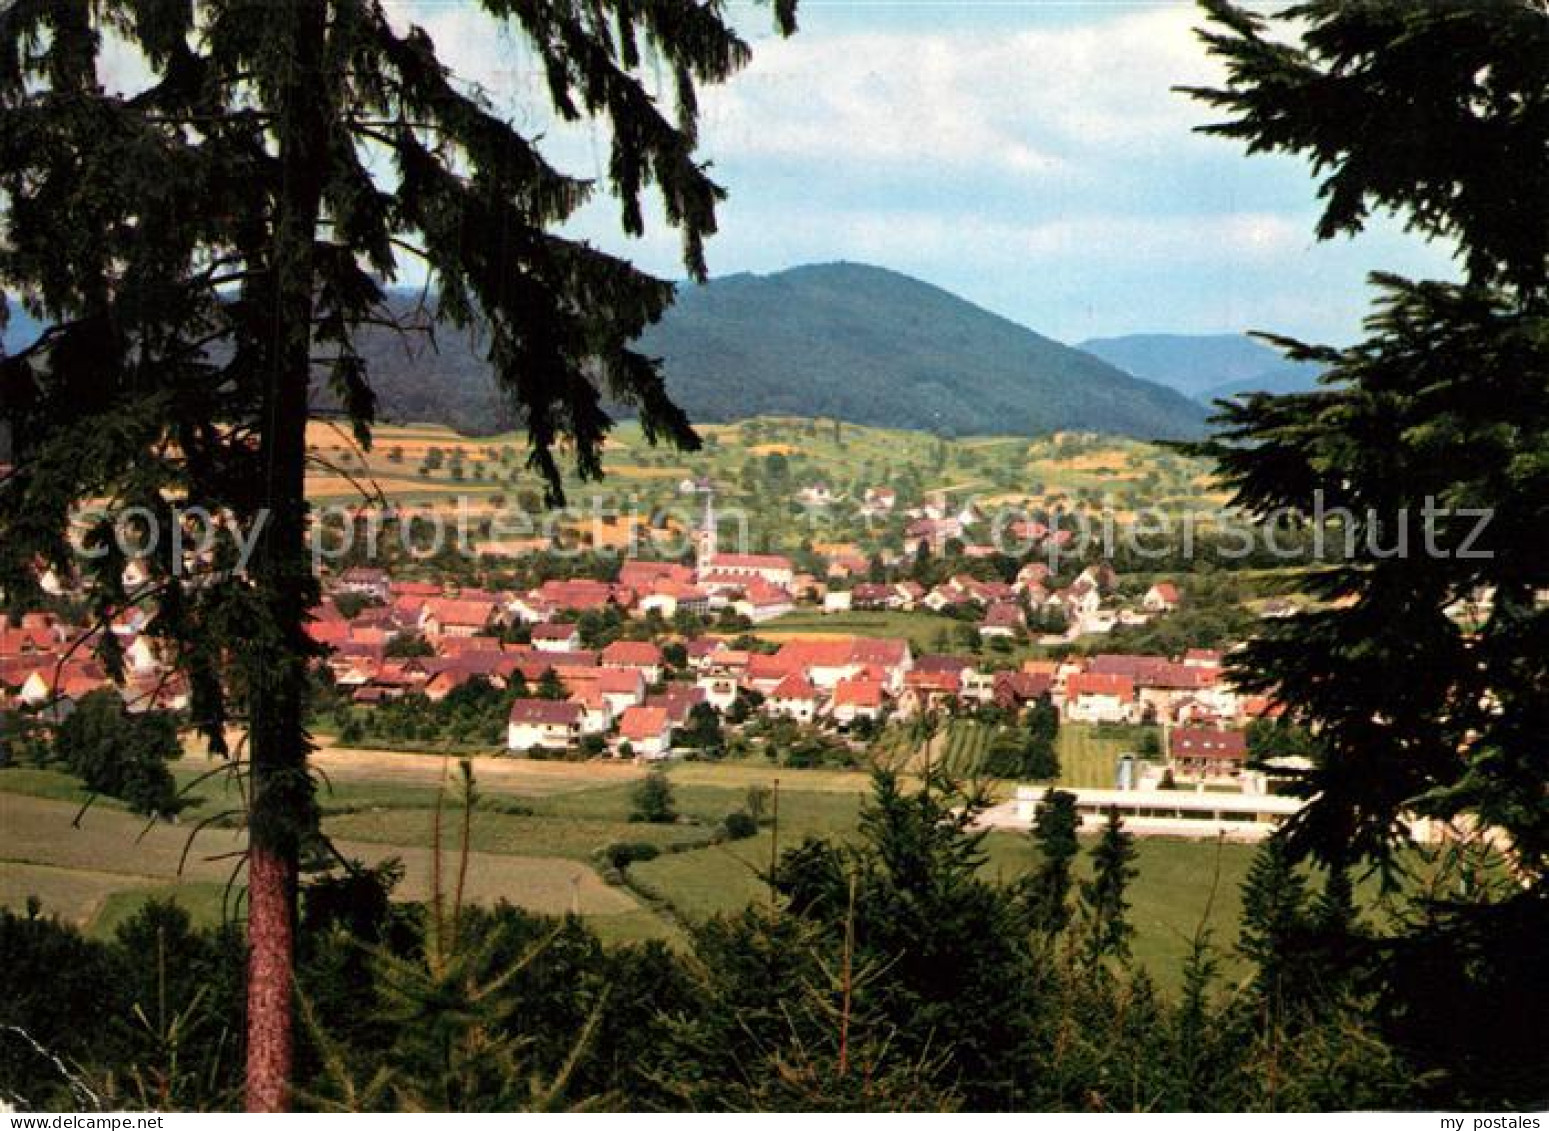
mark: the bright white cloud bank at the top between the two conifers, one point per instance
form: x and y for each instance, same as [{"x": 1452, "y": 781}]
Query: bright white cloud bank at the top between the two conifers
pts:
[{"x": 1032, "y": 103}]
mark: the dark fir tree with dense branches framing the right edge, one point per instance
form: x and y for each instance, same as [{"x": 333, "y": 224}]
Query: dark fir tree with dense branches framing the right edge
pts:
[{"x": 1435, "y": 427}]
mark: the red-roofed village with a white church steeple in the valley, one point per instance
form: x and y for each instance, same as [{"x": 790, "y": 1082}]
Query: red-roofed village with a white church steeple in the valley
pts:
[{"x": 644, "y": 664}]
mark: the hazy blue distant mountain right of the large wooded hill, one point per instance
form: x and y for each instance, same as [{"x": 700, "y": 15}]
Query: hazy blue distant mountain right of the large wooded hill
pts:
[{"x": 1204, "y": 366}]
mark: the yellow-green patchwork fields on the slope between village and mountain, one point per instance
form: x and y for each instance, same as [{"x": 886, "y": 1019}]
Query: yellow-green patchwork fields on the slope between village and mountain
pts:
[{"x": 425, "y": 470}]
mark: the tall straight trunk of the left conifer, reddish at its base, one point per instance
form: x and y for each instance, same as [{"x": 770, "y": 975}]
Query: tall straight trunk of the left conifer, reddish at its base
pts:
[{"x": 283, "y": 799}]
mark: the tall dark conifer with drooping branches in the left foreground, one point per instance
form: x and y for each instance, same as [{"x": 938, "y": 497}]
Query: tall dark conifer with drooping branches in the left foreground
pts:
[{"x": 204, "y": 247}]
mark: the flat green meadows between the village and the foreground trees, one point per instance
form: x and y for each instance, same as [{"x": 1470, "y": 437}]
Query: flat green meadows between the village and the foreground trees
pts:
[{"x": 534, "y": 842}]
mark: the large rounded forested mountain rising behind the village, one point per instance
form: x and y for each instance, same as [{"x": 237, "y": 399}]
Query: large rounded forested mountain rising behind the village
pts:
[{"x": 834, "y": 340}]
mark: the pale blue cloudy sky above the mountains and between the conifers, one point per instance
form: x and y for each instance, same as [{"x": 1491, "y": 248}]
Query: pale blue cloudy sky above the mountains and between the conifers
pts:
[{"x": 1028, "y": 156}]
